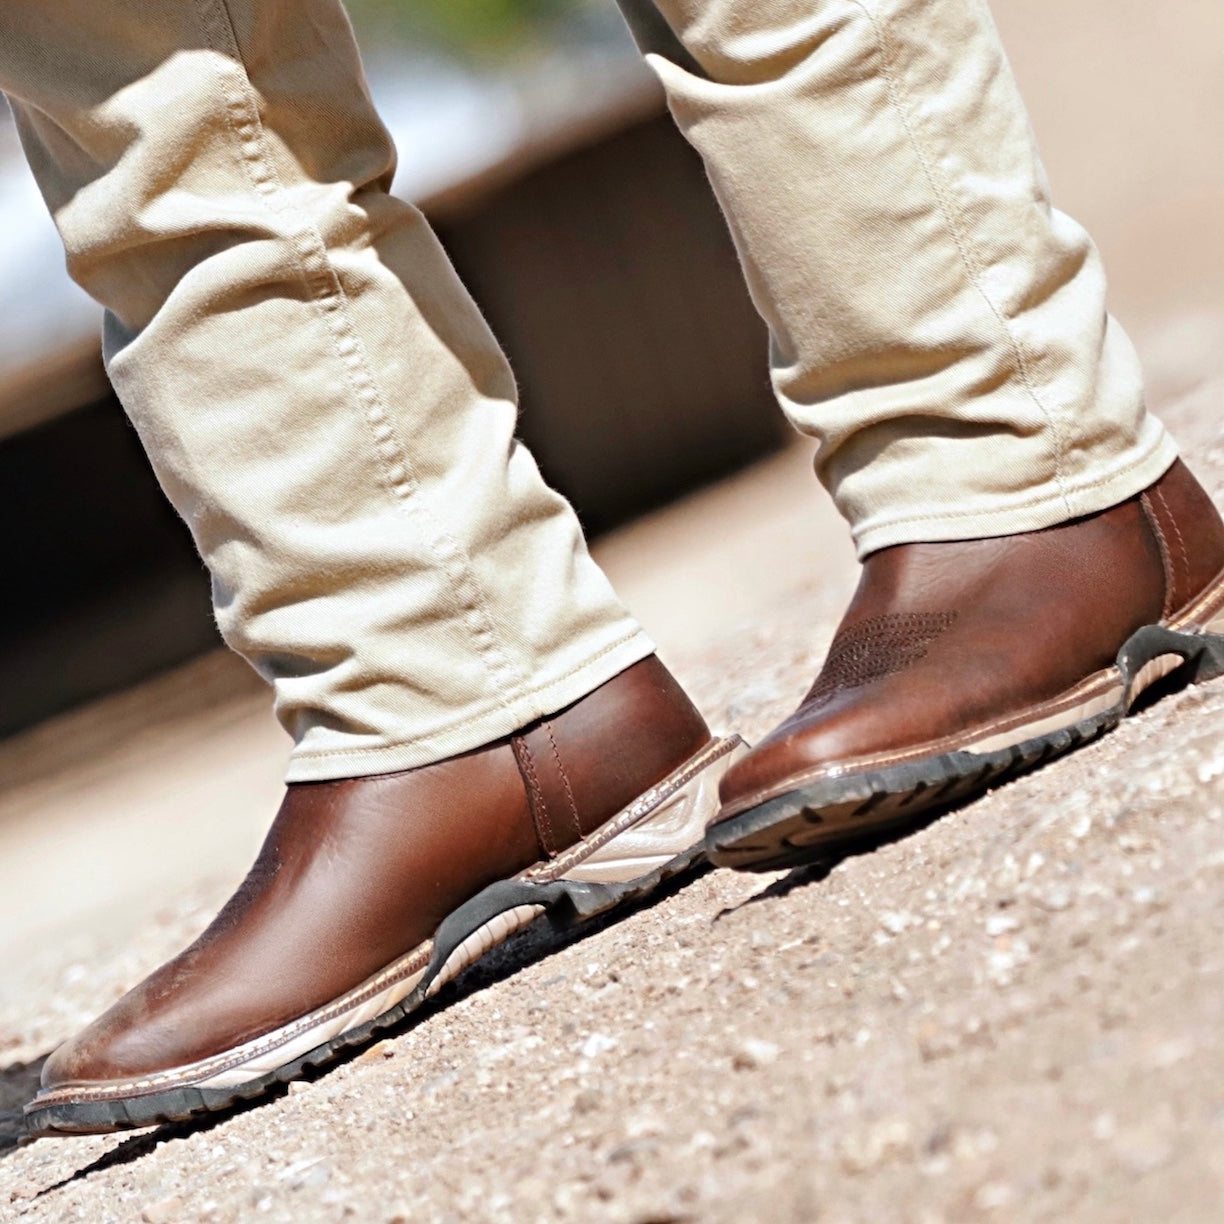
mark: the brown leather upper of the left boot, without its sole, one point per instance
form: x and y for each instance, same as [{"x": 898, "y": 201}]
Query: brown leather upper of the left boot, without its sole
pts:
[{"x": 357, "y": 873}]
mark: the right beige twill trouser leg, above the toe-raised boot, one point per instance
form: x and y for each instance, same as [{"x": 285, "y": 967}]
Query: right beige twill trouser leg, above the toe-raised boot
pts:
[{"x": 936, "y": 324}]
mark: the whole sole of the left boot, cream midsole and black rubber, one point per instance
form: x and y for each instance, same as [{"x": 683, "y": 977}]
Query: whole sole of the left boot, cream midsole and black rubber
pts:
[{"x": 657, "y": 838}]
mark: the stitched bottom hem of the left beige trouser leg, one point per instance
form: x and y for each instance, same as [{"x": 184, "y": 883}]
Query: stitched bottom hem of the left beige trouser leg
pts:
[{"x": 478, "y": 730}]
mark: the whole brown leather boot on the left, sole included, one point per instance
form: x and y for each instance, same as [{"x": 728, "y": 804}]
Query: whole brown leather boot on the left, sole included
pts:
[{"x": 371, "y": 894}]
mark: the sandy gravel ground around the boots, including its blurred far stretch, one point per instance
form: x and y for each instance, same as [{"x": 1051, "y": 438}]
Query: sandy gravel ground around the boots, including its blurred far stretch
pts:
[{"x": 1014, "y": 1015}]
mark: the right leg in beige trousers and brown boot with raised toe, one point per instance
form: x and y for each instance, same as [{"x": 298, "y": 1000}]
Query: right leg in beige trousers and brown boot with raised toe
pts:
[{"x": 943, "y": 332}]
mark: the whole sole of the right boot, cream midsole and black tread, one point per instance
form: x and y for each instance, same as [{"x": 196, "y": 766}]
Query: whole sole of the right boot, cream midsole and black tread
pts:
[{"x": 829, "y": 815}]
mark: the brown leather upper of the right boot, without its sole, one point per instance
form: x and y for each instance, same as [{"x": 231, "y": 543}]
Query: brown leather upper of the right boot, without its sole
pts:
[{"x": 944, "y": 641}]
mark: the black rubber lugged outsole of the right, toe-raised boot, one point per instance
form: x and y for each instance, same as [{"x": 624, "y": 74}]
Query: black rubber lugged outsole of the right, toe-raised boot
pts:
[{"x": 826, "y": 818}]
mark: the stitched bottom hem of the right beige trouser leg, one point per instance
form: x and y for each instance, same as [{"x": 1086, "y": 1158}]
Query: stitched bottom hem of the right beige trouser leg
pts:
[{"x": 1059, "y": 504}]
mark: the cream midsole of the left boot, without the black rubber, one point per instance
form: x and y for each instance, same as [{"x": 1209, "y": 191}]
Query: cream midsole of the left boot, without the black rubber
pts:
[{"x": 664, "y": 823}]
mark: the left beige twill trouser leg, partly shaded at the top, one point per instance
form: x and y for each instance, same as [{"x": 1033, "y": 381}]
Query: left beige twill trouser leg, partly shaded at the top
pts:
[{"x": 320, "y": 397}]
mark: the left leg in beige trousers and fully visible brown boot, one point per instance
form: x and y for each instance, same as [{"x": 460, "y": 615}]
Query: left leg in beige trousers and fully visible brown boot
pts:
[{"x": 482, "y": 733}]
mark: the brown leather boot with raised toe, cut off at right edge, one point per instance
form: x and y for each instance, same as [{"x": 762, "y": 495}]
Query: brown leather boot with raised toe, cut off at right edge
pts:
[{"x": 963, "y": 664}]
